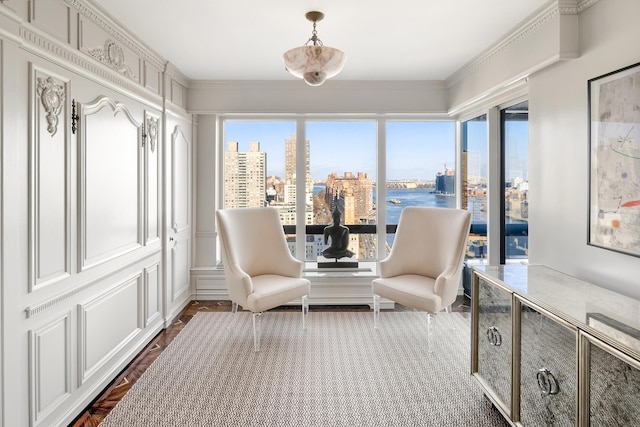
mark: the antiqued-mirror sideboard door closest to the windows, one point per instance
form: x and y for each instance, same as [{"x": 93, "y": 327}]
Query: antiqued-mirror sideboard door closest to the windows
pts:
[{"x": 494, "y": 341}]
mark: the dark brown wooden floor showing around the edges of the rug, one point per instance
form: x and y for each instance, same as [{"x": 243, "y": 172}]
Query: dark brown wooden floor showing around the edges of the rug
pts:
[{"x": 98, "y": 410}]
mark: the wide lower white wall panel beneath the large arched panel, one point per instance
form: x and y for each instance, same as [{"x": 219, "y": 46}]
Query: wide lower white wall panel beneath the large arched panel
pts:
[{"x": 100, "y": 336}]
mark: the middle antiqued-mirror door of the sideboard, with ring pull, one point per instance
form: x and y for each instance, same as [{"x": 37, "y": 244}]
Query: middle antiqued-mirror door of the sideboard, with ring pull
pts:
[{"x": 548, "y": 370}]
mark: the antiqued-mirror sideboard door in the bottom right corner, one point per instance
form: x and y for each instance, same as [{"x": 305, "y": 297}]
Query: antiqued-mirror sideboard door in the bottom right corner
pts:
[{"x": 614, "y": 385}]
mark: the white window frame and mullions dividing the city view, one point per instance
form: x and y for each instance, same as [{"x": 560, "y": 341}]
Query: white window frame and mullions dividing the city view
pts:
[{"x": 494, "y": 168}]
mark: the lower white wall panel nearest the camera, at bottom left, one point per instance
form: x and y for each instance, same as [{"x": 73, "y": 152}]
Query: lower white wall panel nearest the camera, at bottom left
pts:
[{"x": 49, "y": 367}]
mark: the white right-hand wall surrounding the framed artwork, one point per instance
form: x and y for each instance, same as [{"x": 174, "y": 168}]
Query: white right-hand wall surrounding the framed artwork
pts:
[{"x": 558, "y": 149}]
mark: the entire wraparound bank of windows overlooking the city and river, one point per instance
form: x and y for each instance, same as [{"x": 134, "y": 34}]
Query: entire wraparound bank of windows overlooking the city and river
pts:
[{"x": 339, "y": 163}]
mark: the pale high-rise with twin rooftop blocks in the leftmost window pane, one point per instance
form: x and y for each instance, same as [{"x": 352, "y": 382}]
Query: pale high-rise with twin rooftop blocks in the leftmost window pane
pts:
[{"x": 245, "y": 176}]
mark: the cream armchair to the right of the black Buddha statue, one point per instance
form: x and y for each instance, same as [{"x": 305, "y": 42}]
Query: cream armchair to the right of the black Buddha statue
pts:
[{"x": 424, "y": 268}]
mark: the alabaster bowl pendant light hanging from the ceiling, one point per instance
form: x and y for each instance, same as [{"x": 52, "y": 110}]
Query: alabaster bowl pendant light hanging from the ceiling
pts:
[{"x": 314, "y": 62}]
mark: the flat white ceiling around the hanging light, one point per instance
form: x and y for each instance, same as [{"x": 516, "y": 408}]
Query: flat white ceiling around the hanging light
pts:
[{"x": 383, "y": 40}]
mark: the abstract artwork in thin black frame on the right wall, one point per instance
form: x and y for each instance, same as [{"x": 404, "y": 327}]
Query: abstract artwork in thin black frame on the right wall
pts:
[{"x": 614, "y": 172}]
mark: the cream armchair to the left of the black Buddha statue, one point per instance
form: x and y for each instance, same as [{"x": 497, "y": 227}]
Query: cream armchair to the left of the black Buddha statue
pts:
[{"x": 260, "y": 271}]
